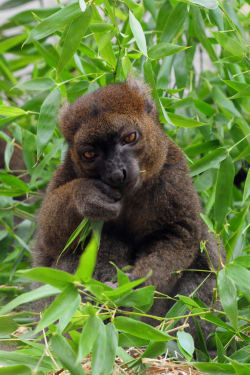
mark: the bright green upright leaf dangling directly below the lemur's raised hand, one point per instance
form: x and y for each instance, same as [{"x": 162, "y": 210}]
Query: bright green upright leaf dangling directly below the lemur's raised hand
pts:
[{"x": 87, "y": 261}]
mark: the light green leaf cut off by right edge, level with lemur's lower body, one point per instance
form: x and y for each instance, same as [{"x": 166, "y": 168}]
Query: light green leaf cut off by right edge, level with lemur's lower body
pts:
[{"x": 241, "y": 277}]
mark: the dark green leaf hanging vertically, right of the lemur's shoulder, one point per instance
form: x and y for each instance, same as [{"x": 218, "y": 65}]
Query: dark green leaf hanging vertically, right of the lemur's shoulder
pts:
[{"x": 223, "y": 192}]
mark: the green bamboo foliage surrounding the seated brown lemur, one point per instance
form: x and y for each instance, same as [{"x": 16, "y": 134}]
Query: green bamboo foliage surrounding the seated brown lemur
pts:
[{"x": 66, "y": 51}]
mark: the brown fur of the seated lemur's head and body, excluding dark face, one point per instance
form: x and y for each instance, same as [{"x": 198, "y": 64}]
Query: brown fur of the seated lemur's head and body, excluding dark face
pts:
[{"x": 155, "y": 226}]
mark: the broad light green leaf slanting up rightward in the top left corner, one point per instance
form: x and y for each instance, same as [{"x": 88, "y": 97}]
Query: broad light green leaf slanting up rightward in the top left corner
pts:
[{"x": 54, "y": 22}]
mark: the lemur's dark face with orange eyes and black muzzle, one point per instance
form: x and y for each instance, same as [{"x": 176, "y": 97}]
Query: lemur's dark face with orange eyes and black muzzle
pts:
[{"x": 108, "y": 150}]
